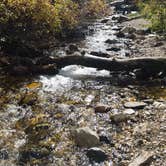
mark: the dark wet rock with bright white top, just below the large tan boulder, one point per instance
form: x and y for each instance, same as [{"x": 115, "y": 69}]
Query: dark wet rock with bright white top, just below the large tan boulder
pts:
[{"x": 97, "y": 155}]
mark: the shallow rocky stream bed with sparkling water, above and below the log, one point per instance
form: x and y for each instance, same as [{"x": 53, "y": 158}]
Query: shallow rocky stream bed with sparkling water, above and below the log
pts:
[{"x": 84, "y": 116}]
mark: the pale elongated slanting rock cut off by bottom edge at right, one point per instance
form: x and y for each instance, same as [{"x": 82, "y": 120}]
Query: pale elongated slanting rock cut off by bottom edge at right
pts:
[{"x": 145, "y": 158}]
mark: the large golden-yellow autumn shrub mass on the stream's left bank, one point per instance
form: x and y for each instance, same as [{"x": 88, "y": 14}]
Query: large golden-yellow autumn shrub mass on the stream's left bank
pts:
[{"x": 24, "y": 23}]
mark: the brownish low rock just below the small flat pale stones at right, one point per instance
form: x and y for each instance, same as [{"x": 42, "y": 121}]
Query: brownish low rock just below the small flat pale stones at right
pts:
[{"x": 118, "y": 118}]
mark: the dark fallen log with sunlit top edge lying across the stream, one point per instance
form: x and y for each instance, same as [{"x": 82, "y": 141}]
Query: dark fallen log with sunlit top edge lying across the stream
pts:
[{"x": 150, "y": 64}]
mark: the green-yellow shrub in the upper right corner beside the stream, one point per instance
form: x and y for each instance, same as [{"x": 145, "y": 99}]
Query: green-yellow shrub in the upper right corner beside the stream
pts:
[{"x": 155, "y": 11}]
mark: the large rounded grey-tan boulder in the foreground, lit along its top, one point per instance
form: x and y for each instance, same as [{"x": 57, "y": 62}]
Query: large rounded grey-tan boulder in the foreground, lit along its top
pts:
[{"x": 85, "y": 137}]
